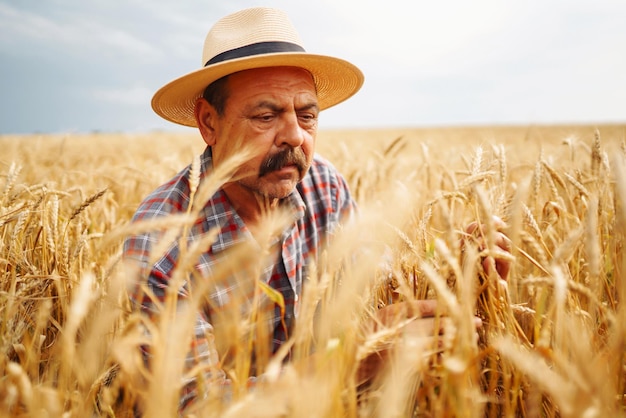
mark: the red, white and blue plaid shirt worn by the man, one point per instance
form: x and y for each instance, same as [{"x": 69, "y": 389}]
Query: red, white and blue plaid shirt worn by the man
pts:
[{"x": 321, "y": 200}]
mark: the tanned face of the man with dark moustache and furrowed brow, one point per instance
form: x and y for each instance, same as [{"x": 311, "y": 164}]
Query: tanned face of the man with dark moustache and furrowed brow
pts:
[{"x": 275, "y": 110}]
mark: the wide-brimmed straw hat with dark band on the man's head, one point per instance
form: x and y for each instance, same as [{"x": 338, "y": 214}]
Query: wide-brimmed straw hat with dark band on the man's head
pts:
[{"x": 254, "y": 38}]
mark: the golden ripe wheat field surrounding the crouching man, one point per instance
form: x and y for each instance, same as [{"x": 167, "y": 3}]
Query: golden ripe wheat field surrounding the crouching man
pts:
[{"x": 552, "y": 341}]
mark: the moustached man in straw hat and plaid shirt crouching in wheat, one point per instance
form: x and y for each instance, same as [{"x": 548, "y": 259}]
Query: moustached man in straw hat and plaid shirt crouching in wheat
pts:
[{"x": 258, "y": 92}]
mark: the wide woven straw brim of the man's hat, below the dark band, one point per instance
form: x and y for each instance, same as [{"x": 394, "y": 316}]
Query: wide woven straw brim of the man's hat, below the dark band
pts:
[{"x": 336, "y": 80}]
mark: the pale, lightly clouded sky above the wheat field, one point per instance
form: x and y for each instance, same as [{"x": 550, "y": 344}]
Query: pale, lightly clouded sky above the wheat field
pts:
[{"x": 71, "y": 66}]
